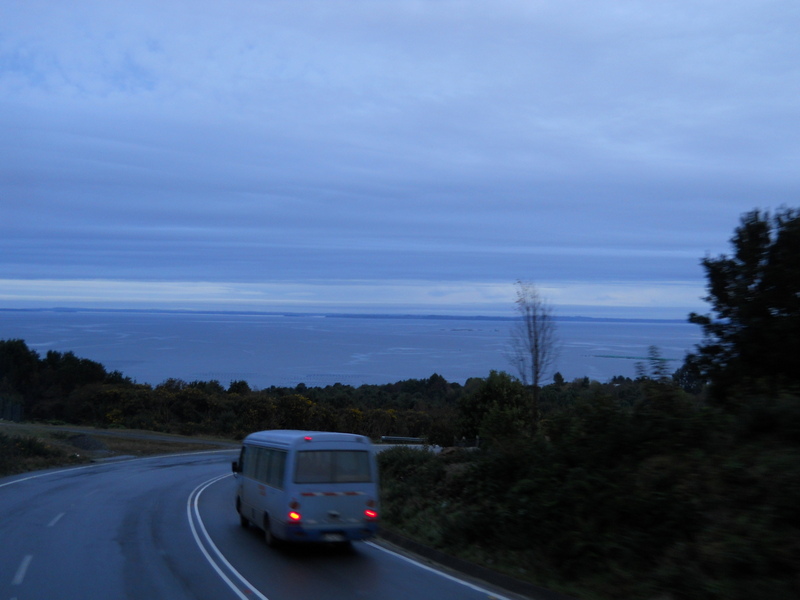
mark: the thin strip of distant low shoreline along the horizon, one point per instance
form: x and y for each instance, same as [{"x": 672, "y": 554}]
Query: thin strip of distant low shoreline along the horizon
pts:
[{"x": 329, "y": 315}]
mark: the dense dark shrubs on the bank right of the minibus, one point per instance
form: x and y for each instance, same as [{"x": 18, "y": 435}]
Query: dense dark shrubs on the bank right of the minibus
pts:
[{"x": 665, "y": 498}]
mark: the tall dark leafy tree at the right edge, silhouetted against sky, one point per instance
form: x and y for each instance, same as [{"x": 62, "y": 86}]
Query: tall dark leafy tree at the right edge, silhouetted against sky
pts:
[{"x": 752, "y": 339}]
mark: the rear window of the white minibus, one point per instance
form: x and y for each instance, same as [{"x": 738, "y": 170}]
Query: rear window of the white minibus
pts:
[{"x": 332, "y": 466}]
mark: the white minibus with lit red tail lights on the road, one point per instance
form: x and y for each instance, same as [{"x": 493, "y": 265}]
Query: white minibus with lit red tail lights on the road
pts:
[{"x": 310, "y": 486}]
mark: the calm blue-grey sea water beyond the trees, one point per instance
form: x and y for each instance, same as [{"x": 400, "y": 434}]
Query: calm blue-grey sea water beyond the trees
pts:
[{"x": 319, "y": 350}]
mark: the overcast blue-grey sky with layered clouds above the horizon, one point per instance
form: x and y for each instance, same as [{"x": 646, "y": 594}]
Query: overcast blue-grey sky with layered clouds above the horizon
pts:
[{"x": 388, "y": 155}]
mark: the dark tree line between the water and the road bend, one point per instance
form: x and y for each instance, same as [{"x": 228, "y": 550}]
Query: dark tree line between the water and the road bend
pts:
[{"x": 64, "y": 388}]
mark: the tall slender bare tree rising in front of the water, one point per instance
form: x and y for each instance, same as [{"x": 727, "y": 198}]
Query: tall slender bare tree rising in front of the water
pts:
[{"x": 533, "y": 342}]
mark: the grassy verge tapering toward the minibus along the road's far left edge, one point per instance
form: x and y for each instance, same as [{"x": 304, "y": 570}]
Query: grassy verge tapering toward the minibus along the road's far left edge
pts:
[{"x": 28, "y": 447}]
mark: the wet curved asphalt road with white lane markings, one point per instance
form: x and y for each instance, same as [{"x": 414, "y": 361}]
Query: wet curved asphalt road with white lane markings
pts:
[{"x": 165, "y": 527}]
